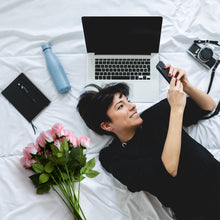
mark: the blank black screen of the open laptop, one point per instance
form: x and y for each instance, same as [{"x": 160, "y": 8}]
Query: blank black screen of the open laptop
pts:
[{"x": 122, "y": 35}]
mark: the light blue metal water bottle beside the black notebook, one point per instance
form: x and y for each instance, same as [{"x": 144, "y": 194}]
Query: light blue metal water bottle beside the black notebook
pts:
[{"x": 55, "y": 69}]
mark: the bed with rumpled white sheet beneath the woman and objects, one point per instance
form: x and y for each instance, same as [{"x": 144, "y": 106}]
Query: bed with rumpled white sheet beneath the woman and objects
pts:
[{"x": 24, "y": 26}]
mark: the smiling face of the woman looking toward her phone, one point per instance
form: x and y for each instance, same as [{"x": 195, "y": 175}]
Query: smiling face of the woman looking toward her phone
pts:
[{"x": 123, "y": 114}]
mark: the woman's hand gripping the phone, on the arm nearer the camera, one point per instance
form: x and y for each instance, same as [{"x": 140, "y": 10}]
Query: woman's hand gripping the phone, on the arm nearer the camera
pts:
[{"x": 179, "y": 74}]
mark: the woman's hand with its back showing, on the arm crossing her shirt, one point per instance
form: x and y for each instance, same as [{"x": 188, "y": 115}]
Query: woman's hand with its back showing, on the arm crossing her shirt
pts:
[{"x": 176, "y": 96}]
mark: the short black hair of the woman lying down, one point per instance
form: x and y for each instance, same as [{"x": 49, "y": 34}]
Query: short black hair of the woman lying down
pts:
[{"x": 93, "y": 105}]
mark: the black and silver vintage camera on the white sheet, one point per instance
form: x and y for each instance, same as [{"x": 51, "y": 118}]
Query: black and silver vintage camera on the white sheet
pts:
[{"x": 204, "y": 53}]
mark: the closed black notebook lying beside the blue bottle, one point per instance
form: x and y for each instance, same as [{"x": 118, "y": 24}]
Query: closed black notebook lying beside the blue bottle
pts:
[{"x": 26, "y": 97}]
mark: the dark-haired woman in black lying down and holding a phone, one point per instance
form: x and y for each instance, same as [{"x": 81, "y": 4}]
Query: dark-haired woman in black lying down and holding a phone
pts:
[{"x": 152, "y": 152}]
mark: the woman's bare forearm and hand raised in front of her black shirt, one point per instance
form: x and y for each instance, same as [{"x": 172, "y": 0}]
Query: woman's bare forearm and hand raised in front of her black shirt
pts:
[{"x": 172, "y": 146}]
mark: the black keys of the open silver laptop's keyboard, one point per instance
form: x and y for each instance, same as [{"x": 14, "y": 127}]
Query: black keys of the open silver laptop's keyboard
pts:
[{"x": 122, "y": 69}]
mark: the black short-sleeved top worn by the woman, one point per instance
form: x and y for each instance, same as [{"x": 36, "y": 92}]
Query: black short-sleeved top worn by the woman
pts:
[{"x": 196, "y": 188}]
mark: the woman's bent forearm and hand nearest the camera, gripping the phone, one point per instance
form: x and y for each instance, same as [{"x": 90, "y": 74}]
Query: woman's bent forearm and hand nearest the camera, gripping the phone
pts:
[{"x": 203, "y": 100}]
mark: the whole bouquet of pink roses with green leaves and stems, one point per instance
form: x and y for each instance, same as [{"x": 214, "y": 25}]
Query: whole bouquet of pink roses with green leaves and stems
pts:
[{"x": 57, "y": 158}]
